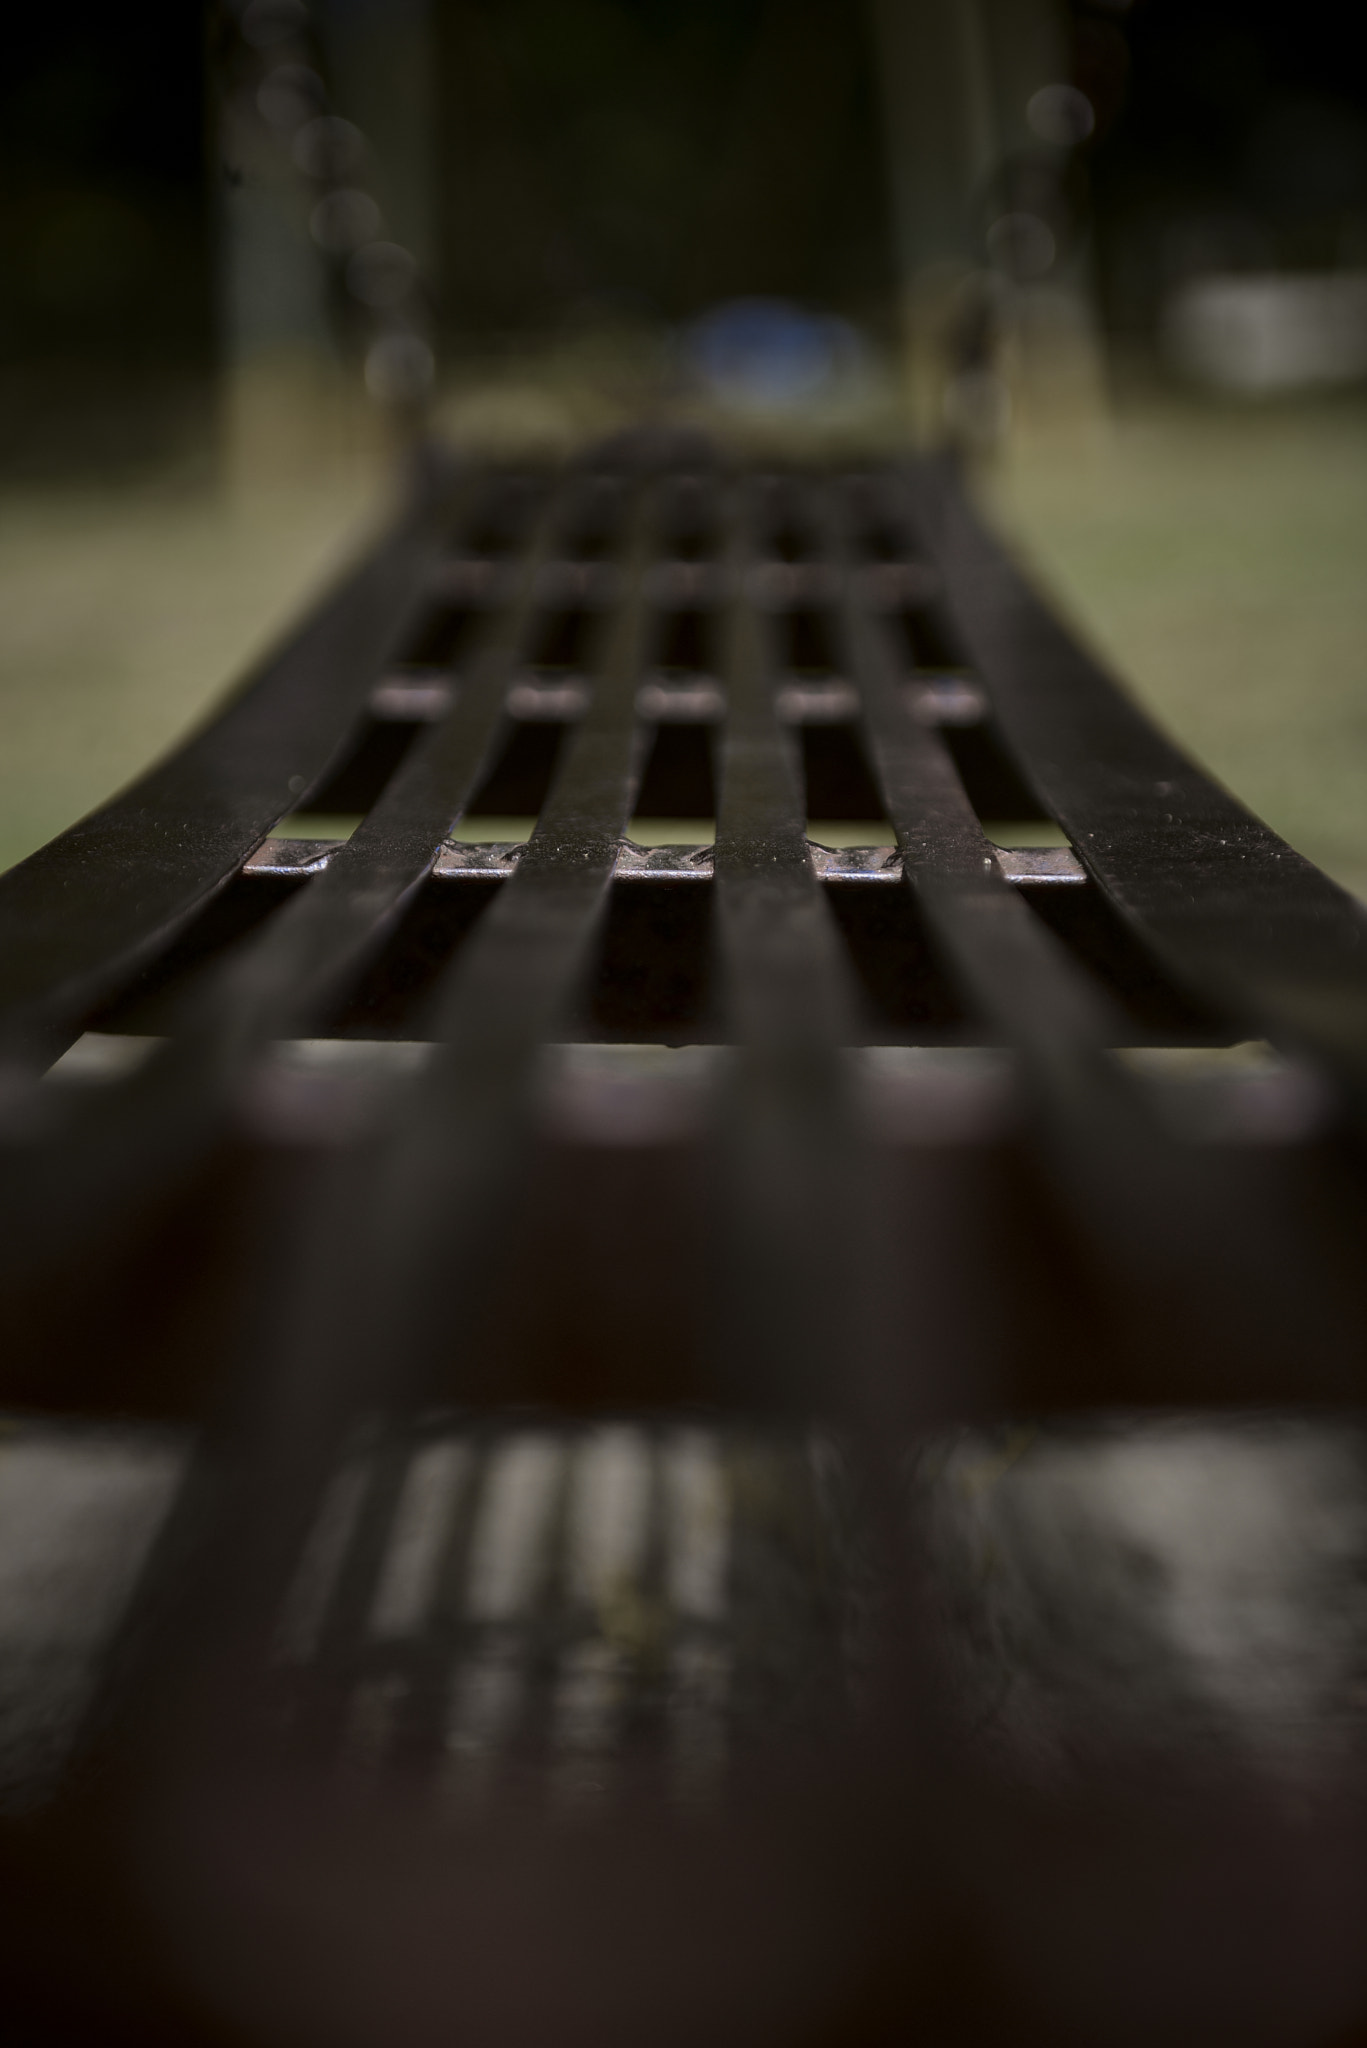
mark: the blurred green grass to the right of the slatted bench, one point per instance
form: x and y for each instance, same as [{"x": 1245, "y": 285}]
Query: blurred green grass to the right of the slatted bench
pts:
[{"x": 1214, "y": 554}]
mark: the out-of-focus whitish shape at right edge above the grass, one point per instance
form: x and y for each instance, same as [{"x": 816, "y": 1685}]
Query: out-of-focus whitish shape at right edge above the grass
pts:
[{"x": 1270, "y": 333}]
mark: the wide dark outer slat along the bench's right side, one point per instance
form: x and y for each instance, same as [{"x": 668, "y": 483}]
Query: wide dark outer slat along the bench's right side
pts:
[{"x": 1223, "y": 900}]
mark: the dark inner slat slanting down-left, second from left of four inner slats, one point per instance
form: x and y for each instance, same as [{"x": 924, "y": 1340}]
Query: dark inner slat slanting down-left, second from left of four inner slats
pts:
[{"x": 401, "y": 1238}]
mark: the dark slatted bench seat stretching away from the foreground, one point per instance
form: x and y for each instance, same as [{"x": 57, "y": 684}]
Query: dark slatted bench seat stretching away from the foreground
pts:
[{"x": 573, "y": 1373}]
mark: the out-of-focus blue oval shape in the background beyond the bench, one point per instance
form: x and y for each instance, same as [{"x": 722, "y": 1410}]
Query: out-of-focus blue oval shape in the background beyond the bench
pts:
[{"x": 768, "y": 355}]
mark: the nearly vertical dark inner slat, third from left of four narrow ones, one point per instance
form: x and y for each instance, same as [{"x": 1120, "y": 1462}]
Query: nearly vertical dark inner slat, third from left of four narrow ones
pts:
[{"x": 788, "y": 1160}]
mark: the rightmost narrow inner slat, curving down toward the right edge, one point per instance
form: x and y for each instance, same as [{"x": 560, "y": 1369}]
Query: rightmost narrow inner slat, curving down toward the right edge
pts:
[{"x": 1179, "y": 1234}]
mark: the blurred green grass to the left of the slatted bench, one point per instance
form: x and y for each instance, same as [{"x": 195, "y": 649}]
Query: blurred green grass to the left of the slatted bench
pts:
[{"x": 128, "y": 611}]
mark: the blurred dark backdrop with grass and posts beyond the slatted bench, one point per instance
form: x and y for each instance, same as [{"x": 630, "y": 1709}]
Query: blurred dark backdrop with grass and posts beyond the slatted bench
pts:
[{"x": 1118, "y": 253}]
